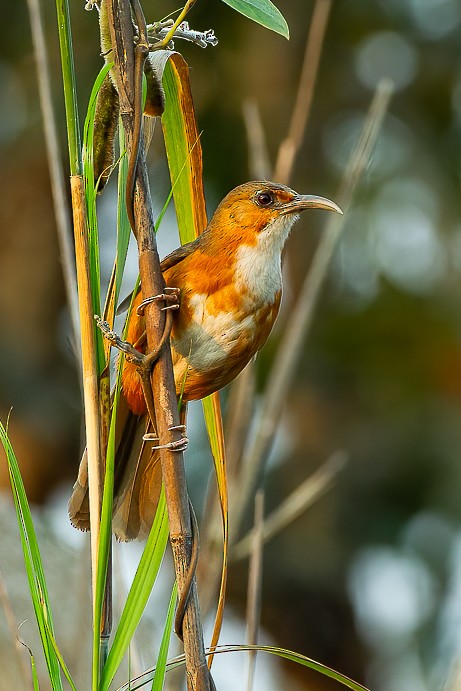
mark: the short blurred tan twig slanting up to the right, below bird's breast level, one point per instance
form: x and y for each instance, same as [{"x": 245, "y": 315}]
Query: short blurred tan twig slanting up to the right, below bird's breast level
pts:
[{"x": 302, "y": 498}]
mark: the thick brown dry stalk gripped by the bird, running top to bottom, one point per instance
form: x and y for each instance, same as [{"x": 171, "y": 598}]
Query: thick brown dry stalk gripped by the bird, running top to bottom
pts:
[{"x": 128, "y": 66}]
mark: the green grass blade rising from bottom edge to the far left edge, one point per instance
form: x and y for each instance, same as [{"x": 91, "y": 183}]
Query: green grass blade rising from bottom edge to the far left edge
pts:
[{"x": 33, "y": 563}]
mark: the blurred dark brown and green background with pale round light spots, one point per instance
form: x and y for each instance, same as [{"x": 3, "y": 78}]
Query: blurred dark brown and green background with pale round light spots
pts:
[{"x": 368, "y": 580}]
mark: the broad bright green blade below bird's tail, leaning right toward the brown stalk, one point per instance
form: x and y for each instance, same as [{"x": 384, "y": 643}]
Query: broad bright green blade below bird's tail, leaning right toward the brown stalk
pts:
[{"x": 140, "y": 590}]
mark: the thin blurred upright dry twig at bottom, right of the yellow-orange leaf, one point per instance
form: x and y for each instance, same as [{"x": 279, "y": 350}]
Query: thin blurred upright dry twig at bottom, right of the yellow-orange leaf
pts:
[{"x": 253, "y": 613}]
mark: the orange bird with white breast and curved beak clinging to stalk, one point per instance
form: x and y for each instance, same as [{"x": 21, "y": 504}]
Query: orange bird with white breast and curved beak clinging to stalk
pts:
[{"x": 230, "y": 286}]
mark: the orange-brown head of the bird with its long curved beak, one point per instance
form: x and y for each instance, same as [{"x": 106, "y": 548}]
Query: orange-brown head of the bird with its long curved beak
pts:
[{"x": 263, "y": 212}]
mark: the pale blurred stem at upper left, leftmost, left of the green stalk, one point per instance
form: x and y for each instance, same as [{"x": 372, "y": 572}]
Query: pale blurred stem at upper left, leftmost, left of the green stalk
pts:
[{"x": 58, "y": 189}]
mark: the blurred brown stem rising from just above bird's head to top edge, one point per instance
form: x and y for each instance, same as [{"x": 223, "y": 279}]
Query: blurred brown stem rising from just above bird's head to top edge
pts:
[{"x": 291, "y": 145}]
